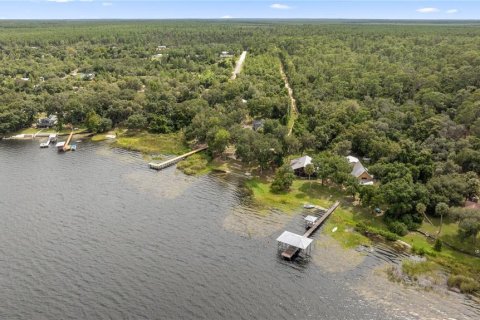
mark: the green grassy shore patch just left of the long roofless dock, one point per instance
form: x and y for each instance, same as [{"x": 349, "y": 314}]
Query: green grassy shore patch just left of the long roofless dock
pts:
[{"x": 156, "y": 145}]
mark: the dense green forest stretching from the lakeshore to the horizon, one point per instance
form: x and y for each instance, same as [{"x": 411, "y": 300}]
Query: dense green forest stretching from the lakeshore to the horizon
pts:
[{"x": 406, "y": 97}]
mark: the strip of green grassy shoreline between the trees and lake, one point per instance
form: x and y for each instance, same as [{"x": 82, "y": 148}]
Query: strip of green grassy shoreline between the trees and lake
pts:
[{"x": 346, "y": 219}]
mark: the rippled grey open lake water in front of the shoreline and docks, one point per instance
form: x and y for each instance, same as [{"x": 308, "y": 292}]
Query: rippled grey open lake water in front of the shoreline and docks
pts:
[{"x": 95, "y": 234}]
